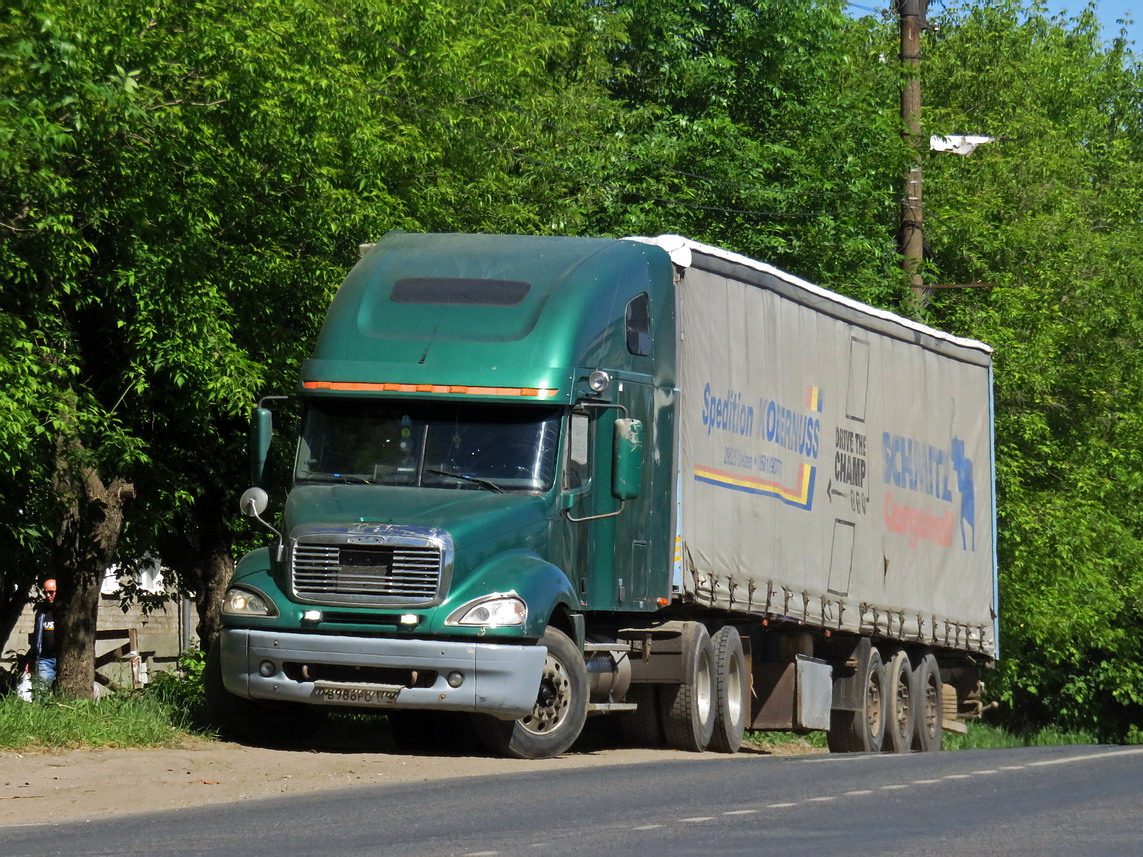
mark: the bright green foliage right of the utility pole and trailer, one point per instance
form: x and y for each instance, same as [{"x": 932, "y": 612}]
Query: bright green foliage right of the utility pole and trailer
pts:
[{"x": 1050, "y": 214}]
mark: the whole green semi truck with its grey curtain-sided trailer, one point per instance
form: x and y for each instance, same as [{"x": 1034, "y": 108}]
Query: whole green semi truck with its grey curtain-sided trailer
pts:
[{"x": 541, "y": 479}]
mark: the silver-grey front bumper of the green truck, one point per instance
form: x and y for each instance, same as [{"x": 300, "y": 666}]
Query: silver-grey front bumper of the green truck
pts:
[{"x": 499, "y": 680}]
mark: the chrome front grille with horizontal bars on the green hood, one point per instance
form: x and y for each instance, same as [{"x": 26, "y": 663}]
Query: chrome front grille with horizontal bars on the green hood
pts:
[{"x": 380, "y": 570}]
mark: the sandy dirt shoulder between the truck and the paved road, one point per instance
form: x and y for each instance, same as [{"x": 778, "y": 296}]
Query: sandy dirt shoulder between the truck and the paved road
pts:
[{"x": 91, "y": 784}]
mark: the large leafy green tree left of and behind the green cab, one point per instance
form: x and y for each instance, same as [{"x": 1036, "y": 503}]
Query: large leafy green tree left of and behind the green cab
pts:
[{"x": 182, "y": 188}]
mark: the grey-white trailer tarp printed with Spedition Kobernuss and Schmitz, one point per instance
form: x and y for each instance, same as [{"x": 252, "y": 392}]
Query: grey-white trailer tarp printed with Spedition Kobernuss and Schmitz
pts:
[{"x": 836, "y": 460}]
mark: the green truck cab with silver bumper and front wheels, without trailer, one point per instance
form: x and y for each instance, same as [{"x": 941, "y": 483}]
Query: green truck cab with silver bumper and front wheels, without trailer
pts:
[{"x": 485, "y": 455}]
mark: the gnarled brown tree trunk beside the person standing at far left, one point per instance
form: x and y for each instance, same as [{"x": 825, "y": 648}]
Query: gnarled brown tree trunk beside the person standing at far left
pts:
[{"x": 93, "y": 520}]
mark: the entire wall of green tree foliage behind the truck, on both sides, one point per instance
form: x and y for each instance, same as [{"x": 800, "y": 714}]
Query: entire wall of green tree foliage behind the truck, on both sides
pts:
[{"x": 183, "y": 185}]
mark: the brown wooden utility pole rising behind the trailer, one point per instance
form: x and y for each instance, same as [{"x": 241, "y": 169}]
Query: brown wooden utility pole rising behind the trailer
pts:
[{"x": 912, "y": 241}]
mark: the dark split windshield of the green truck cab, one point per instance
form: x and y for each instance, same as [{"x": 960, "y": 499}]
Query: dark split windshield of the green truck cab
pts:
[{"x": 439, "y": 445}]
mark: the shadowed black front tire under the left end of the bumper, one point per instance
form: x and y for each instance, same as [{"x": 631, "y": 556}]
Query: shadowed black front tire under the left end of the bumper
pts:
[{"x": 261, "y": 723}]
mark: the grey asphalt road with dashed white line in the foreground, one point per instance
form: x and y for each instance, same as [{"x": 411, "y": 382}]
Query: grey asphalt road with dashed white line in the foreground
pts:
[{"x": 1084, "y": 802}]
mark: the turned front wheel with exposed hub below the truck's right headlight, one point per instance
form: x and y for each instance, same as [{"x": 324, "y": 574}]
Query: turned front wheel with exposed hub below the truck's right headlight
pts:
[{"x": 561, "y": 710}]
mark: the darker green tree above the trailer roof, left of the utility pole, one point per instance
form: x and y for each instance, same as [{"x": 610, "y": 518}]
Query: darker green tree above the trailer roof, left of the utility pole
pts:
[{"x": 768, "y": 127}]
